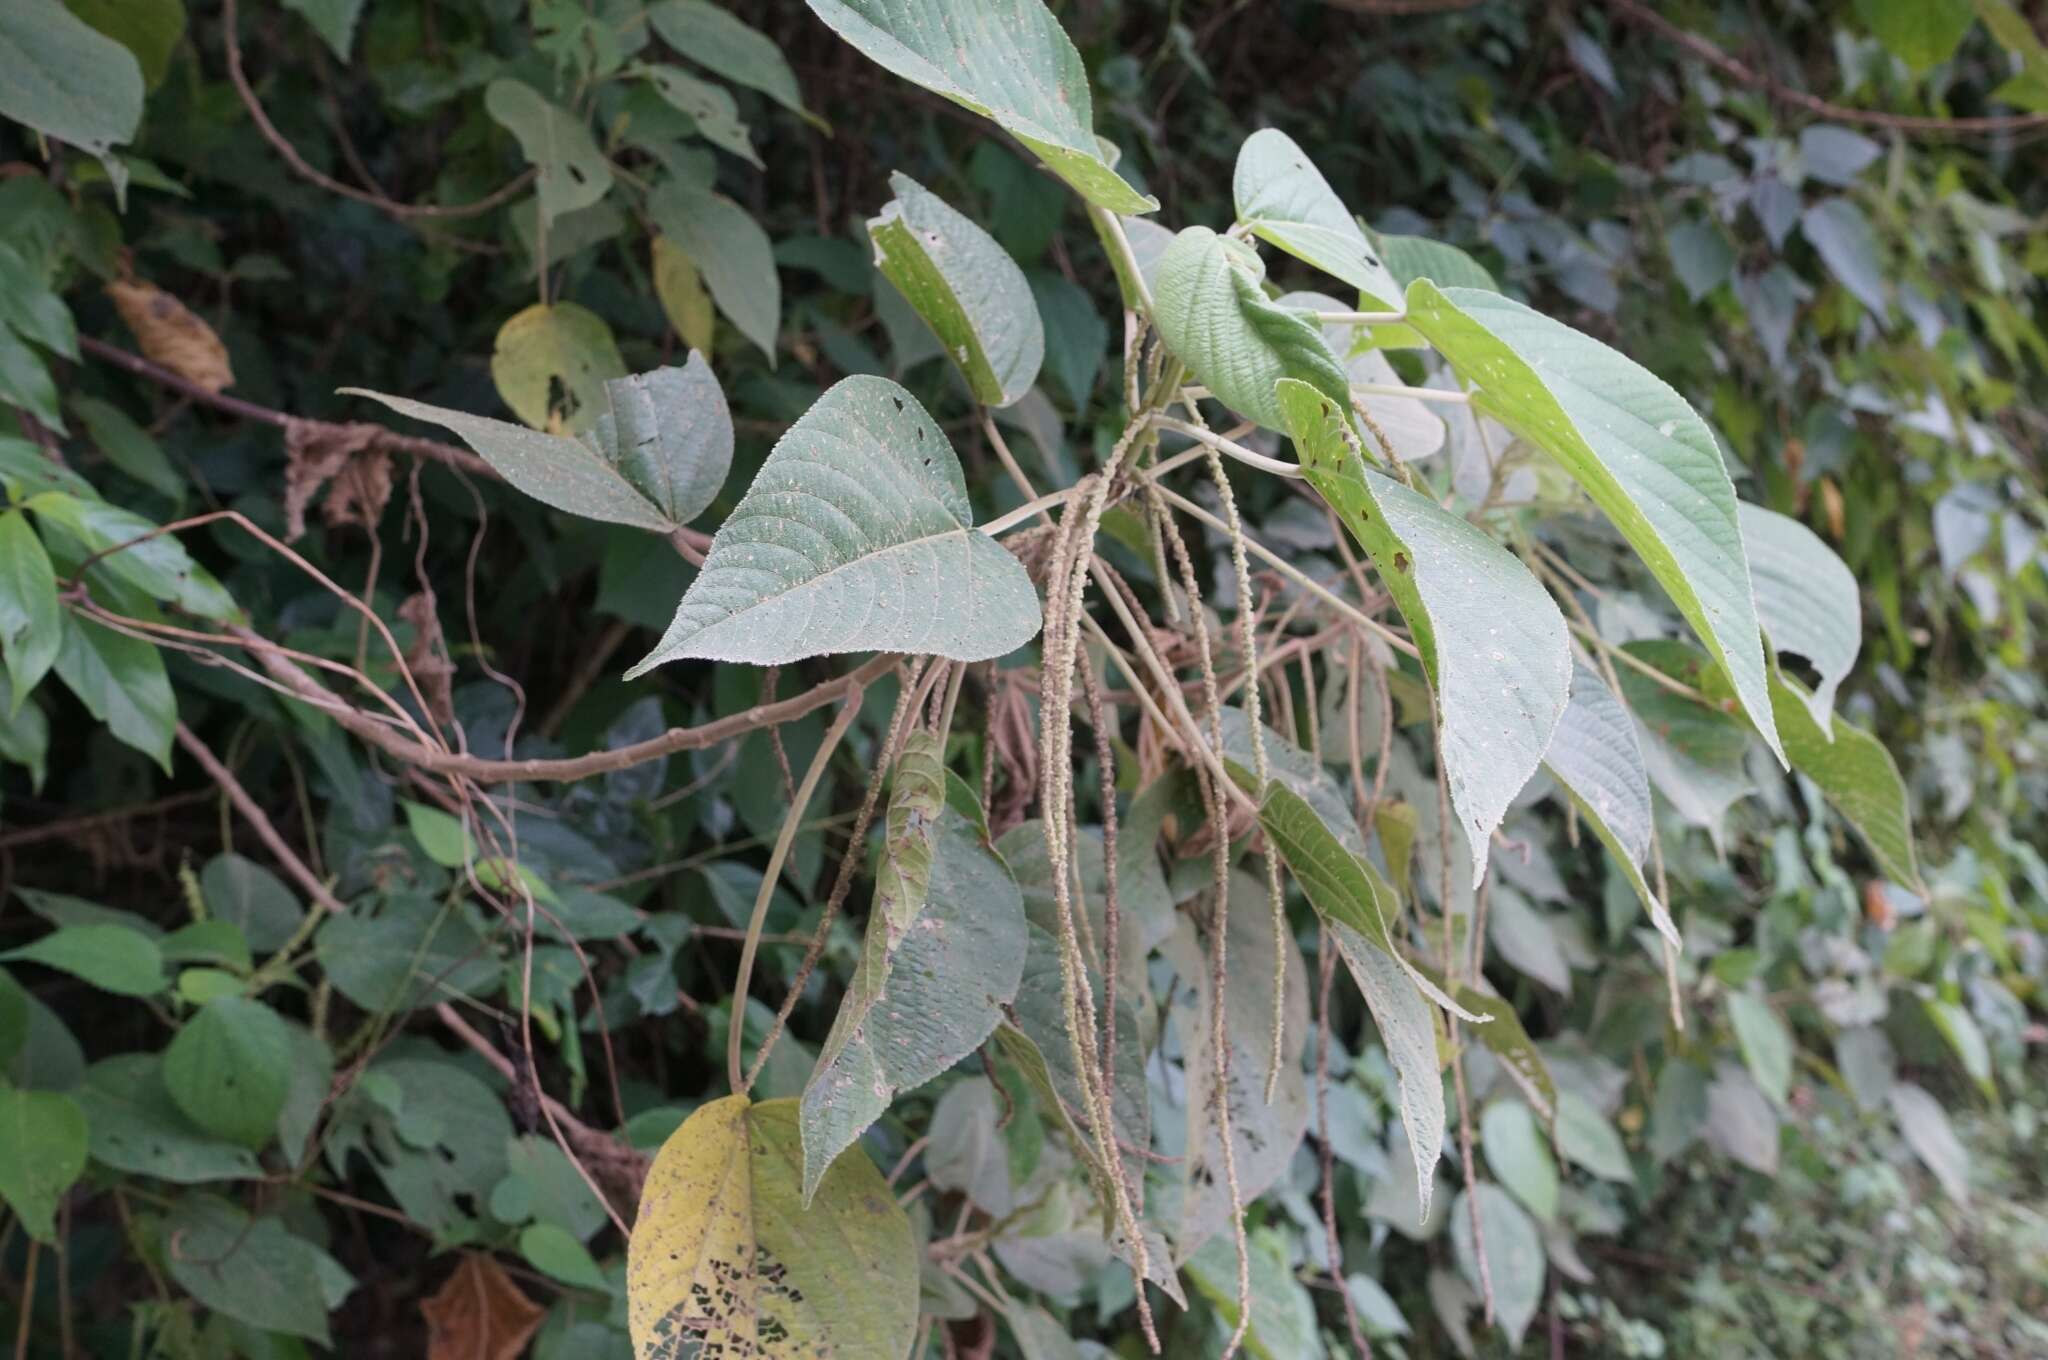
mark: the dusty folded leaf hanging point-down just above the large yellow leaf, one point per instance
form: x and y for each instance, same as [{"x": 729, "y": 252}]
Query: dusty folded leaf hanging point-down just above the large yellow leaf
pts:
[{"x": 931, "y": 984}]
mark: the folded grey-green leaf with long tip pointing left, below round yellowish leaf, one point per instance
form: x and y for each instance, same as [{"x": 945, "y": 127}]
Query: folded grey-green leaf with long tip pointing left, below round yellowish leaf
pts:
[{"x": 654, "y": 458}]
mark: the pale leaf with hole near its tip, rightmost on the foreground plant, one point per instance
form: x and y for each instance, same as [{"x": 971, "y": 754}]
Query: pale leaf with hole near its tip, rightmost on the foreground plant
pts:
[{"x": 1807, "y": 599}]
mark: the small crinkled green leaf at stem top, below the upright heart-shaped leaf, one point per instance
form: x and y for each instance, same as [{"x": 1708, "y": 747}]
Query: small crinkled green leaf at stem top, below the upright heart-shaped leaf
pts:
[{"x": 1220, "y": 323}]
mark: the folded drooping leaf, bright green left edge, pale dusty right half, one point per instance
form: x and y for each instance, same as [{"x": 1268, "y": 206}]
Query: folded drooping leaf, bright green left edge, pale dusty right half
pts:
[{"x": 1492, "y": 638}]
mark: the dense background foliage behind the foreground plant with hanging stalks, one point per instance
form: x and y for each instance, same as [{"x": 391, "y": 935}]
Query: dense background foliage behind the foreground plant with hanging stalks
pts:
[{"x": 1824, "y": 224}]
